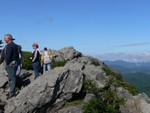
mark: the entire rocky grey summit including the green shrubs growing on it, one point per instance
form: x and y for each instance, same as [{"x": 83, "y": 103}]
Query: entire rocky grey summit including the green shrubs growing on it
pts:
[{"x": 76, "y": 84}]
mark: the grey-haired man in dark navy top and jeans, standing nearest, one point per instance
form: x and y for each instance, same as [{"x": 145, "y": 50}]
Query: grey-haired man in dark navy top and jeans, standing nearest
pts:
[{"x": 10, "y": 56}]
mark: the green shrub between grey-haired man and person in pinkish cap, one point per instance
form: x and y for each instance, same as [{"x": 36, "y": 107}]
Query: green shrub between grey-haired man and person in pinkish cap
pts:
[{"x": 27, "y": 64}]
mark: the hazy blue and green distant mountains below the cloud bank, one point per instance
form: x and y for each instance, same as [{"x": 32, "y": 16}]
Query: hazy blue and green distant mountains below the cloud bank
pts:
[{"x": 137, "y": 74}]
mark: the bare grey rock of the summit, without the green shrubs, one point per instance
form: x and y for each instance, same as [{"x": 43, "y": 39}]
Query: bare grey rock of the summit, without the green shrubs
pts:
[{"x": 50, "y": 92}]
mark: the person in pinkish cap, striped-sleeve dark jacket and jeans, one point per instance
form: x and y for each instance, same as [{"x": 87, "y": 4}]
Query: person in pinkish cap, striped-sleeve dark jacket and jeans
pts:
[{"x": 36, "y": 59}]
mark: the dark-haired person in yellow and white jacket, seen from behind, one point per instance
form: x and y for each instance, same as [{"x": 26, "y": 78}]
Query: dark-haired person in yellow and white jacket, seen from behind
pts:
[{"x": 46, "y": 60}]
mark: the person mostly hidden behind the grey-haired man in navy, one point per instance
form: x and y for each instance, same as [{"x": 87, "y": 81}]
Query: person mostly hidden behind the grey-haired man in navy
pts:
[{"x": 21, "y": 58}]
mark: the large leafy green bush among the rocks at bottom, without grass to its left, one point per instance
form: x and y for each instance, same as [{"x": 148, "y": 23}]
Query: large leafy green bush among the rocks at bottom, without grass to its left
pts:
[{"x": 106, "y": 100}]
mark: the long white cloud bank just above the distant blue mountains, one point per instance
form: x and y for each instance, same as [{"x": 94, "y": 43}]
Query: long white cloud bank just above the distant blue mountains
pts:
[{"x": 137, "y": 57}]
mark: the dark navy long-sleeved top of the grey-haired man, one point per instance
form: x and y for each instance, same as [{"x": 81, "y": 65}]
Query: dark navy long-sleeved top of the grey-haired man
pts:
[{"x": 10, "y": 53}]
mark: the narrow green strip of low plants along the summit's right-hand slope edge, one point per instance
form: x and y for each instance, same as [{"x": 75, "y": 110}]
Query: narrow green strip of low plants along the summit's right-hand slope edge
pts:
[{"x": 119, "y": 80}]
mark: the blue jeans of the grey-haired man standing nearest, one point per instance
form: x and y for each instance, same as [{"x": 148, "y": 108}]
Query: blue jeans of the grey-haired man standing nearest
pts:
[{"x": 11, "y": 70}]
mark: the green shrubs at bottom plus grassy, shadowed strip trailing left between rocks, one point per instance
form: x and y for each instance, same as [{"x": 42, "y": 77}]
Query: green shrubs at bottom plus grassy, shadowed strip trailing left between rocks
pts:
[{"x": 105, "y": 100}]
